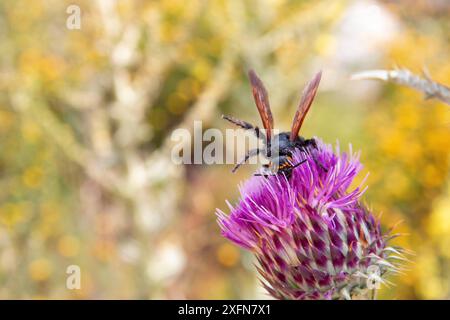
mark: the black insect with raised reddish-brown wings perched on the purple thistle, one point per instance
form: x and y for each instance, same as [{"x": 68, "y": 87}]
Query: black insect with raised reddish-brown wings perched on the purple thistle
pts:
[{"x": 279, "y": 148}]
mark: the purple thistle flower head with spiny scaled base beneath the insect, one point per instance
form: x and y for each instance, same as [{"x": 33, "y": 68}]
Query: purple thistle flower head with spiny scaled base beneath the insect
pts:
[{"x": 312, "y": 237}]
